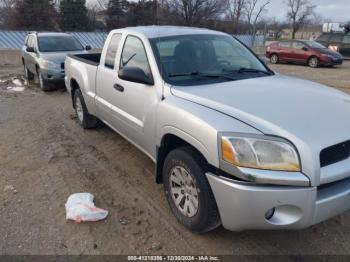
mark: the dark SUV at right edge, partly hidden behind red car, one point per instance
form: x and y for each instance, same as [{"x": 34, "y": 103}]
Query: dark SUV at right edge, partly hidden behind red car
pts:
[{"x": 336, "y": 41}]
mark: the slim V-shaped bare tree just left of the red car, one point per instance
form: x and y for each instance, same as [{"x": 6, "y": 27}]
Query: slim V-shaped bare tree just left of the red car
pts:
[{"x": 254, "y": 14}]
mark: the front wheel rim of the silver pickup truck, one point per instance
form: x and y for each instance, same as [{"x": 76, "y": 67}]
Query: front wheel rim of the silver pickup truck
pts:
[{"x": 184, "y": 191}]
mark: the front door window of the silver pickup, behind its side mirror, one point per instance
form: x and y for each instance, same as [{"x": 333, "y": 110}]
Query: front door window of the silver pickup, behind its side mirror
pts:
[{"x": 134, "y": 55}]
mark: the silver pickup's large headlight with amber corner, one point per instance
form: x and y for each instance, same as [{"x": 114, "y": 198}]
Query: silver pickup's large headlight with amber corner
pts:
[{"x": 259, "y": 153}]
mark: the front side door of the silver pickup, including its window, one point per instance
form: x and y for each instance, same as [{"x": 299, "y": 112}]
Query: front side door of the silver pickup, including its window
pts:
[{"x": 133, "y": 104}]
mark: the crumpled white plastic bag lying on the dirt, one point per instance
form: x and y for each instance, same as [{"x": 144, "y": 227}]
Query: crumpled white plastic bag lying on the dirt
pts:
[{"x": 80, "y": 207}]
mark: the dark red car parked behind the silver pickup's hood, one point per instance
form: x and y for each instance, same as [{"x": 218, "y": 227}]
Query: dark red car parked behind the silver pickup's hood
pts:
[{"x": 304, "y": 52}]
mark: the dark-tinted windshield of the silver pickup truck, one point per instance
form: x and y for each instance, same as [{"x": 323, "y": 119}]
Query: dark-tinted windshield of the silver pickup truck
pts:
[{"x": 203, "y": 59}]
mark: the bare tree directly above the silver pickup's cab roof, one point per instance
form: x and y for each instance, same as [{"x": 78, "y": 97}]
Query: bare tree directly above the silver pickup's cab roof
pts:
[{"x": 195, "y": 12}]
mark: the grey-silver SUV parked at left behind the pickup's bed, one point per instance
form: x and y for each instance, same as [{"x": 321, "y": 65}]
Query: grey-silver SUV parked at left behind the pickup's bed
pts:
[{"x": 43, "y": 56}]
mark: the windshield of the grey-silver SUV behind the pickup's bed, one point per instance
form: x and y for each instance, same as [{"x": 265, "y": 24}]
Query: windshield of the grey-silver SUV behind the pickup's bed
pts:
[{"x": 58, "y": 44}]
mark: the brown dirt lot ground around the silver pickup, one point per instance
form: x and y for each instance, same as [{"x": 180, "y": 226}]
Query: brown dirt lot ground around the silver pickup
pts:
[{"x": 45, "y": 156}]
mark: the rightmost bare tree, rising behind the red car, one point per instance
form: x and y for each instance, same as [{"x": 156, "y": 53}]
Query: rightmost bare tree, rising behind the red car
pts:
[{"x": 298, "y": 13}]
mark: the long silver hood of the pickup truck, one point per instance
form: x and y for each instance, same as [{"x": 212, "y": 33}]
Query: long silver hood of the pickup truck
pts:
[{"x": 310, "y": 115}]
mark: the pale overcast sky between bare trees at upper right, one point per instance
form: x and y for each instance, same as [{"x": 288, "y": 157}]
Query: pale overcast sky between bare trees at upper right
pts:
[{"x": 336, "y": 10}]
